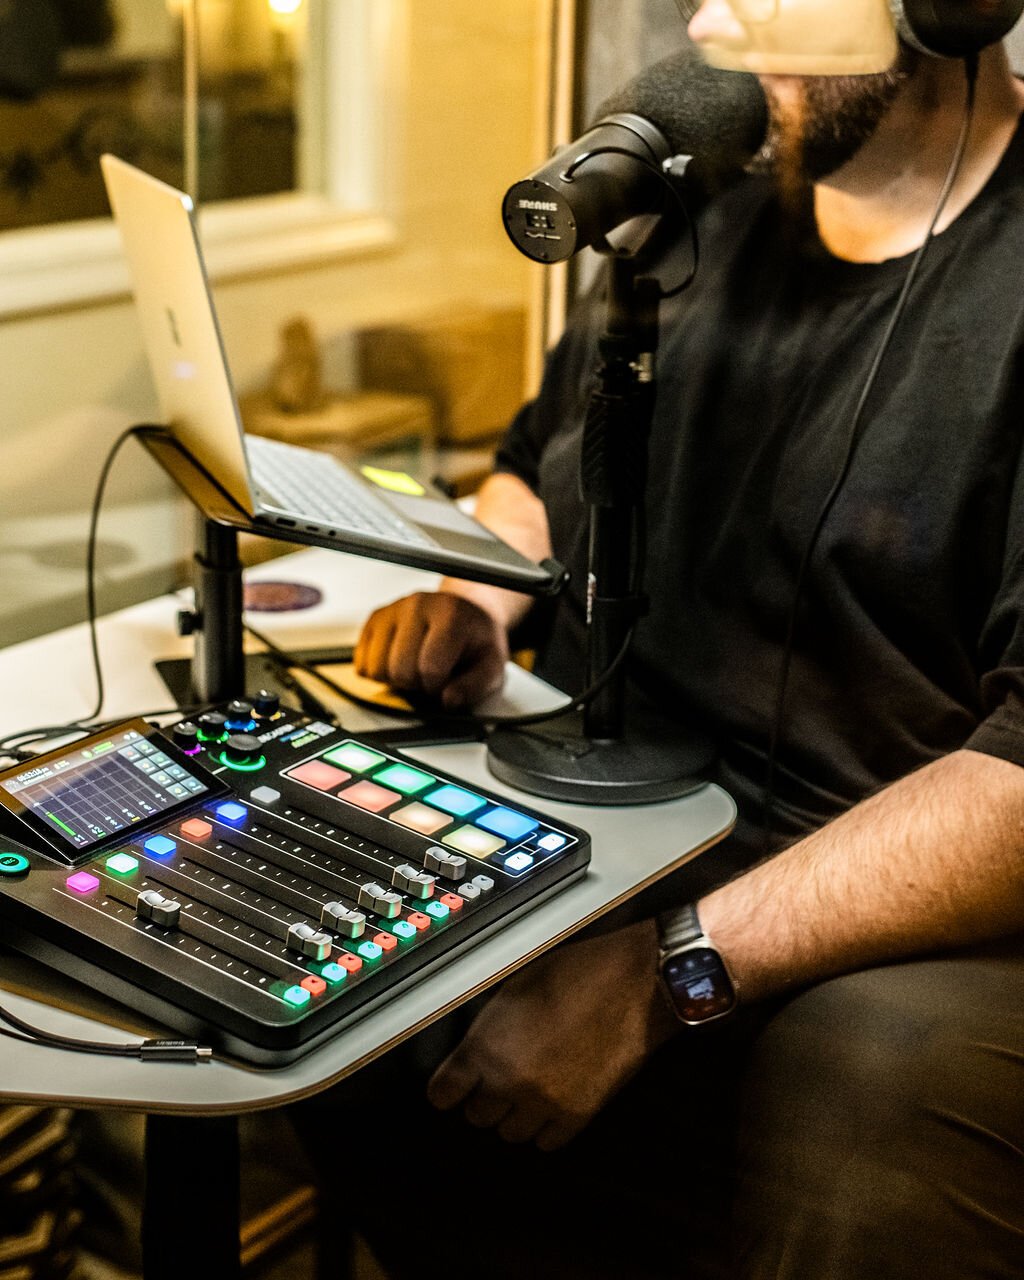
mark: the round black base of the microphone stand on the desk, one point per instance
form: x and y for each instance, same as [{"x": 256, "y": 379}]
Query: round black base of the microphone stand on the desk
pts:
[{"x": 560, "y": 762}]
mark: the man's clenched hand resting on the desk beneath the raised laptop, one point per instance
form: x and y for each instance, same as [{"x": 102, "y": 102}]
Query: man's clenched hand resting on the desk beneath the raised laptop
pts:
[{"x": 435, "y": 643}]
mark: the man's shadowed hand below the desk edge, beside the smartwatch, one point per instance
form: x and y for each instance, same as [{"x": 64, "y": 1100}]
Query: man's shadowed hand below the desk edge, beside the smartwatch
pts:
[{"x": 560, "y": 1040}]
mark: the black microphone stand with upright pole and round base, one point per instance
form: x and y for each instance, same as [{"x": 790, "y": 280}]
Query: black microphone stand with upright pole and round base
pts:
[{"x": 589, "y": 757}]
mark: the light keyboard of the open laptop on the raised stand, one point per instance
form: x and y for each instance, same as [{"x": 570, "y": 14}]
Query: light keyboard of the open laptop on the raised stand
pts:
[{"x": 314, "y": 487}]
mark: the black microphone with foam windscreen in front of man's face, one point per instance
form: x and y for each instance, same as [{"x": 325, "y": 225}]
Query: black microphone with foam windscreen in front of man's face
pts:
[{"x": 680, "y": 107}]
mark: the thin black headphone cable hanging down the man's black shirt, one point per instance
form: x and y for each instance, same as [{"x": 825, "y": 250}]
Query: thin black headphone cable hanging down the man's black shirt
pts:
[{"x": 953, "y": 173}]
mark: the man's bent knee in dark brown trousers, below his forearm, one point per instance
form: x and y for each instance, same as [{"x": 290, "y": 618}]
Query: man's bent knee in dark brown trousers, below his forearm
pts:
[{"x": 884, "y": 1113}]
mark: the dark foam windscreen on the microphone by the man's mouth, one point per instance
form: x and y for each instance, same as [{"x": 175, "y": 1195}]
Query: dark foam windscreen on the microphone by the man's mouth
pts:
[{"x": 719, "y": 117}]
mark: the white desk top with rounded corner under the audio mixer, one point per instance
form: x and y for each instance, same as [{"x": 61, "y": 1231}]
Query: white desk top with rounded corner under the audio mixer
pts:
[{"x": 51, "y": 682}]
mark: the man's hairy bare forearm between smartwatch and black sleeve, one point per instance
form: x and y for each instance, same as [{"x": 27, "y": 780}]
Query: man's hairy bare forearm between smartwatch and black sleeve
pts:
[{"x": 935, "y": 861}]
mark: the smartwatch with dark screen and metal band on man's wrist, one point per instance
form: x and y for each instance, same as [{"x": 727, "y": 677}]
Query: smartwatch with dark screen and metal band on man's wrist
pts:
[{"x": 694, "y": 976}]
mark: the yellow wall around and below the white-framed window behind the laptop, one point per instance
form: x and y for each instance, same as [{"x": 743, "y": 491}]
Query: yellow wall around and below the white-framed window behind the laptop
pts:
[{"x": 72, "y": 381}]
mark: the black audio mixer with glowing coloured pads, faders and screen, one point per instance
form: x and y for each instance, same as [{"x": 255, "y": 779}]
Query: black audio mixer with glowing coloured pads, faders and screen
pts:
[{"x": 258, "y": 879}]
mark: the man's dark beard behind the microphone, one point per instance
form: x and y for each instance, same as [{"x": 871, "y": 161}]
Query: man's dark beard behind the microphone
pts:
[{"x": 830, "y": 124}]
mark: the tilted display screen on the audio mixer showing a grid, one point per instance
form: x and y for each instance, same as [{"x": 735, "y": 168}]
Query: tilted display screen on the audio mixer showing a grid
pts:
[{"x": 90, "y": 794}]
